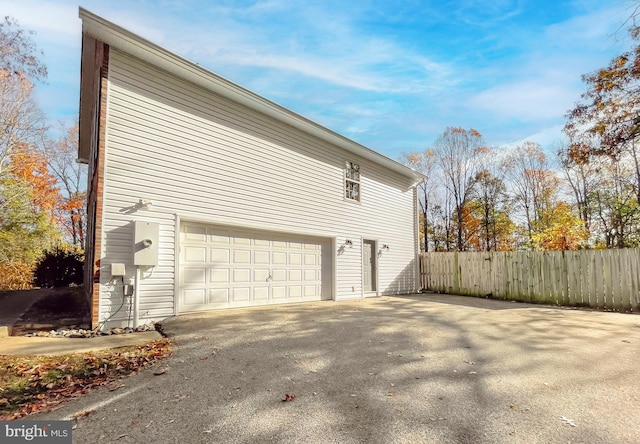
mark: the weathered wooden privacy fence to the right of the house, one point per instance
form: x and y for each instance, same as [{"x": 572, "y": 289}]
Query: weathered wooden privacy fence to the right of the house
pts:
[{"x": 605, "y": 279}]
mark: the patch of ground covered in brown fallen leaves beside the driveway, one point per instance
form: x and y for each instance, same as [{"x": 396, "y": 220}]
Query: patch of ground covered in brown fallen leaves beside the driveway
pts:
[{"x": 29, "y": 384}]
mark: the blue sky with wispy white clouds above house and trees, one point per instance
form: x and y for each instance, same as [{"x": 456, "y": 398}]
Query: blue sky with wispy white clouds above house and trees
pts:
[{"x": 391, "y": 75}]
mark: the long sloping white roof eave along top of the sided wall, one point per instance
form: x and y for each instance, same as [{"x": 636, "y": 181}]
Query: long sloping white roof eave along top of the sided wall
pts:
[{"x": 126, "y": 41}]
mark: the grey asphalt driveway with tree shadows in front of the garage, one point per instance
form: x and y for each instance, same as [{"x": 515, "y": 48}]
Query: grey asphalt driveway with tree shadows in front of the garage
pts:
[{"x": 426, "y": 368}]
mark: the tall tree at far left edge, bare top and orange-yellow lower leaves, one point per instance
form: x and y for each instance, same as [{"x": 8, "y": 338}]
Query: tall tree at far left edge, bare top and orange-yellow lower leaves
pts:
[{"x": 25, "y": 229}]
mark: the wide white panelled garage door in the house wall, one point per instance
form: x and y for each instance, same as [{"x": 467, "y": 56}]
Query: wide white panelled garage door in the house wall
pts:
[{"x": 223, "y": 268}]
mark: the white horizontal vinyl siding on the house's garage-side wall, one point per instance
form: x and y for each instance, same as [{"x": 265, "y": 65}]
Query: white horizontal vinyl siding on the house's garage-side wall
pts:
[{"x": 203, "y": 157}]
